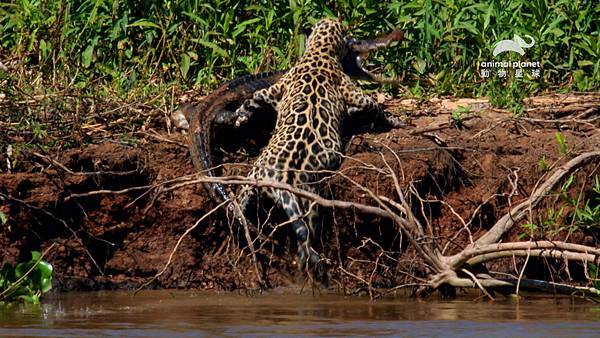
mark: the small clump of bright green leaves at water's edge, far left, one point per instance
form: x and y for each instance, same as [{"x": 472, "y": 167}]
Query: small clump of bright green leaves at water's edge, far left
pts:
[{"x": 26, "y": 281}]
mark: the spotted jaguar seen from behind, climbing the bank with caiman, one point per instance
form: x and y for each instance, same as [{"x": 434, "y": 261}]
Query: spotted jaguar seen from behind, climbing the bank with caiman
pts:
[{"x": 311, "y": 100}]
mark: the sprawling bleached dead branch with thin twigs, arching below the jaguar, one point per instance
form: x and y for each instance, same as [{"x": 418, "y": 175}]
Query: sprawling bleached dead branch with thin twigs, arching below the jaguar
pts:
[{"x": 442, "y": 269}]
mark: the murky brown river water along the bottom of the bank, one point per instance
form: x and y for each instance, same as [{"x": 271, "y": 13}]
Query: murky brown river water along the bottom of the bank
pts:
[{"x": 208, "y": 314}]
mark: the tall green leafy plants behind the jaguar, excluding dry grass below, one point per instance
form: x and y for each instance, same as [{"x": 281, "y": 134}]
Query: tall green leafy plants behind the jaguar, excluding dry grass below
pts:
[{"x": 194, "y": 42}]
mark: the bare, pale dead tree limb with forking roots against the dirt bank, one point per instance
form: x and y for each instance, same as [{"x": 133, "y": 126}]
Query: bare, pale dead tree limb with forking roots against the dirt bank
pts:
[{"x": 447, "y": 270}]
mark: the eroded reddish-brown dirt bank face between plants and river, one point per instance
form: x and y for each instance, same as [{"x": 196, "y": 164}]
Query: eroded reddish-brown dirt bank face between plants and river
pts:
[{"x": 117, "y": 210}]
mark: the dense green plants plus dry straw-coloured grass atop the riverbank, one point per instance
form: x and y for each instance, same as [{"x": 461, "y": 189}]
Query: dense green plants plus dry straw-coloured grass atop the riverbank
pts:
[{"x": 68, "y": 64}]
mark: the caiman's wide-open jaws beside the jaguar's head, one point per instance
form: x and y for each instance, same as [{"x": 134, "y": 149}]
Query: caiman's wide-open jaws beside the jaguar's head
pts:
[{"x": 359, "y": 50}]
